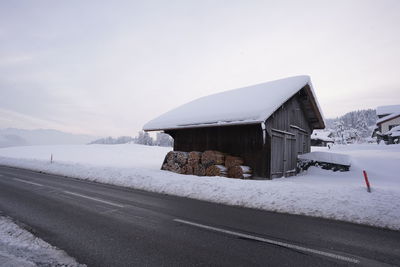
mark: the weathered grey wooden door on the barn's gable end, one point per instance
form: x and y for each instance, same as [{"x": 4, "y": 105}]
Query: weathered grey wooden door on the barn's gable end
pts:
[{"x": 283, "y": 154}]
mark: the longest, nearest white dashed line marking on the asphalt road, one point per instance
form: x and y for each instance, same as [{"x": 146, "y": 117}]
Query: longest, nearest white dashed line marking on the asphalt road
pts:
[{"x": 270, "y": 241}]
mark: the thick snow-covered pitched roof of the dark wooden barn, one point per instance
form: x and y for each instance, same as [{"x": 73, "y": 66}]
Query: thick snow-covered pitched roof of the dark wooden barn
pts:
[{"x": 248, "y": 105}]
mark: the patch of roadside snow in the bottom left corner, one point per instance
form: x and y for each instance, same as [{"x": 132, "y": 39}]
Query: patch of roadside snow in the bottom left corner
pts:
[{"x": 19, "y": 247}]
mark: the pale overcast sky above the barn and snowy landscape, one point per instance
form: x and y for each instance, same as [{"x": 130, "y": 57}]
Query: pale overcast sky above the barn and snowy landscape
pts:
[{"x": 107, "y": 67}]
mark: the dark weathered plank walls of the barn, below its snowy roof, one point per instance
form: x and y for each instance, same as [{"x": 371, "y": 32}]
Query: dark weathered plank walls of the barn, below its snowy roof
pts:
[{"x": 287, "y": 134}]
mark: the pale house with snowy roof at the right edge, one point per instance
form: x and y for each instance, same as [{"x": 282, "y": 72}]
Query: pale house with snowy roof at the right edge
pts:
[{"x": 388, "y": 119}]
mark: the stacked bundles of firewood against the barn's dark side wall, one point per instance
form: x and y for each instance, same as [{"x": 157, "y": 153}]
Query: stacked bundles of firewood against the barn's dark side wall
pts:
[{"x": 207, "y": 163}]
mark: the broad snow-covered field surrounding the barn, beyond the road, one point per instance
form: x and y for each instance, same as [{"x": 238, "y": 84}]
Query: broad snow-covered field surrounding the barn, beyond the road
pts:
[{"x": 317, "y": 192}]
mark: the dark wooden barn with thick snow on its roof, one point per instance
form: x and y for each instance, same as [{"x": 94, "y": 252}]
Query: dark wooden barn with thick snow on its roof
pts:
[{"x": 267, "y": 124}]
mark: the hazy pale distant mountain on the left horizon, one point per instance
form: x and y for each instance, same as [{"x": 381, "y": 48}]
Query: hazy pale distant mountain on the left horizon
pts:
[{"x": 21, "y": 137}]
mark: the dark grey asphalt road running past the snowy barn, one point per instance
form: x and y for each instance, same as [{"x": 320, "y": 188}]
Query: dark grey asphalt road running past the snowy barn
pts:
[{"x": 104, "y": 225}]
